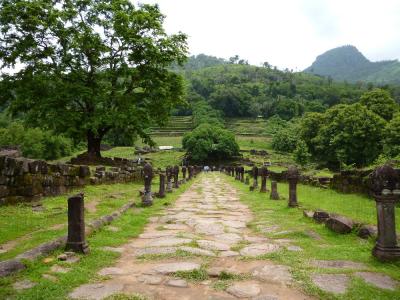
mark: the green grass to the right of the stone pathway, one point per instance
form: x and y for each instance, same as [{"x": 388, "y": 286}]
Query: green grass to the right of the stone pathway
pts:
[{"x": 332, "y": 246}]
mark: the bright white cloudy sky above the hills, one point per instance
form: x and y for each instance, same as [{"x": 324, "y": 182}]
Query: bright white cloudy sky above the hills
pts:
[{"x": 286, "y": 33}]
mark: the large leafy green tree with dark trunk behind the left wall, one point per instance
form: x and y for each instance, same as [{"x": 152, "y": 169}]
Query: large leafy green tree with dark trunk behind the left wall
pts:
[{"x": 87, "y": 66}]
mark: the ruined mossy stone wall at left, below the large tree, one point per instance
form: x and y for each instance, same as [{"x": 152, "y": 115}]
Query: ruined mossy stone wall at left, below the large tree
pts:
[{"x": 26, "y": 180}]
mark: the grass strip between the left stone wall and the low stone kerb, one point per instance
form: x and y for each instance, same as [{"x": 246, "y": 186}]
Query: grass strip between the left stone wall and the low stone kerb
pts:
[{"x": 34, "y": 228}]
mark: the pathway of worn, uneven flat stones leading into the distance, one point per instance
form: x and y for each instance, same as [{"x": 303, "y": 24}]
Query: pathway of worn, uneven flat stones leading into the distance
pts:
[{"x": 203, "y": 236}]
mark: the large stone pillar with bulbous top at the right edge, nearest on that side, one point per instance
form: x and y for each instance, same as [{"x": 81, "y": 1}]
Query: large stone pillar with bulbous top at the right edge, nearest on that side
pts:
[{"x": 385, "y": 181}]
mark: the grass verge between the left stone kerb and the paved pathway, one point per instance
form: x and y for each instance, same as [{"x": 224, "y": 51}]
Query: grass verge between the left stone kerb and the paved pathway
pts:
[{"x": 131, "y": 224}]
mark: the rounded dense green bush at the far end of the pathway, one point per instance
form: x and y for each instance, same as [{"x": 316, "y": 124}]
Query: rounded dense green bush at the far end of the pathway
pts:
[{"x": 208, "y": 142}]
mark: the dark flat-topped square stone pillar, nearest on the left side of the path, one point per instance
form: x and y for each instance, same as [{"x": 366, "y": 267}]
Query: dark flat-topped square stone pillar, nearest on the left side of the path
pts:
[{"x": 76, "y": 240}]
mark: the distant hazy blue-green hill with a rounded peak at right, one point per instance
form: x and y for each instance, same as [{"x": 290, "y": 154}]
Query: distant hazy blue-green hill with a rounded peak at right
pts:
[{"x": 347, "y": 63}]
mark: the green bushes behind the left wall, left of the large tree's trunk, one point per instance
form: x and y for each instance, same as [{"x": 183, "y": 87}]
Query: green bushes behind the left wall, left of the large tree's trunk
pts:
[{"x": 34, "y": 142}]
